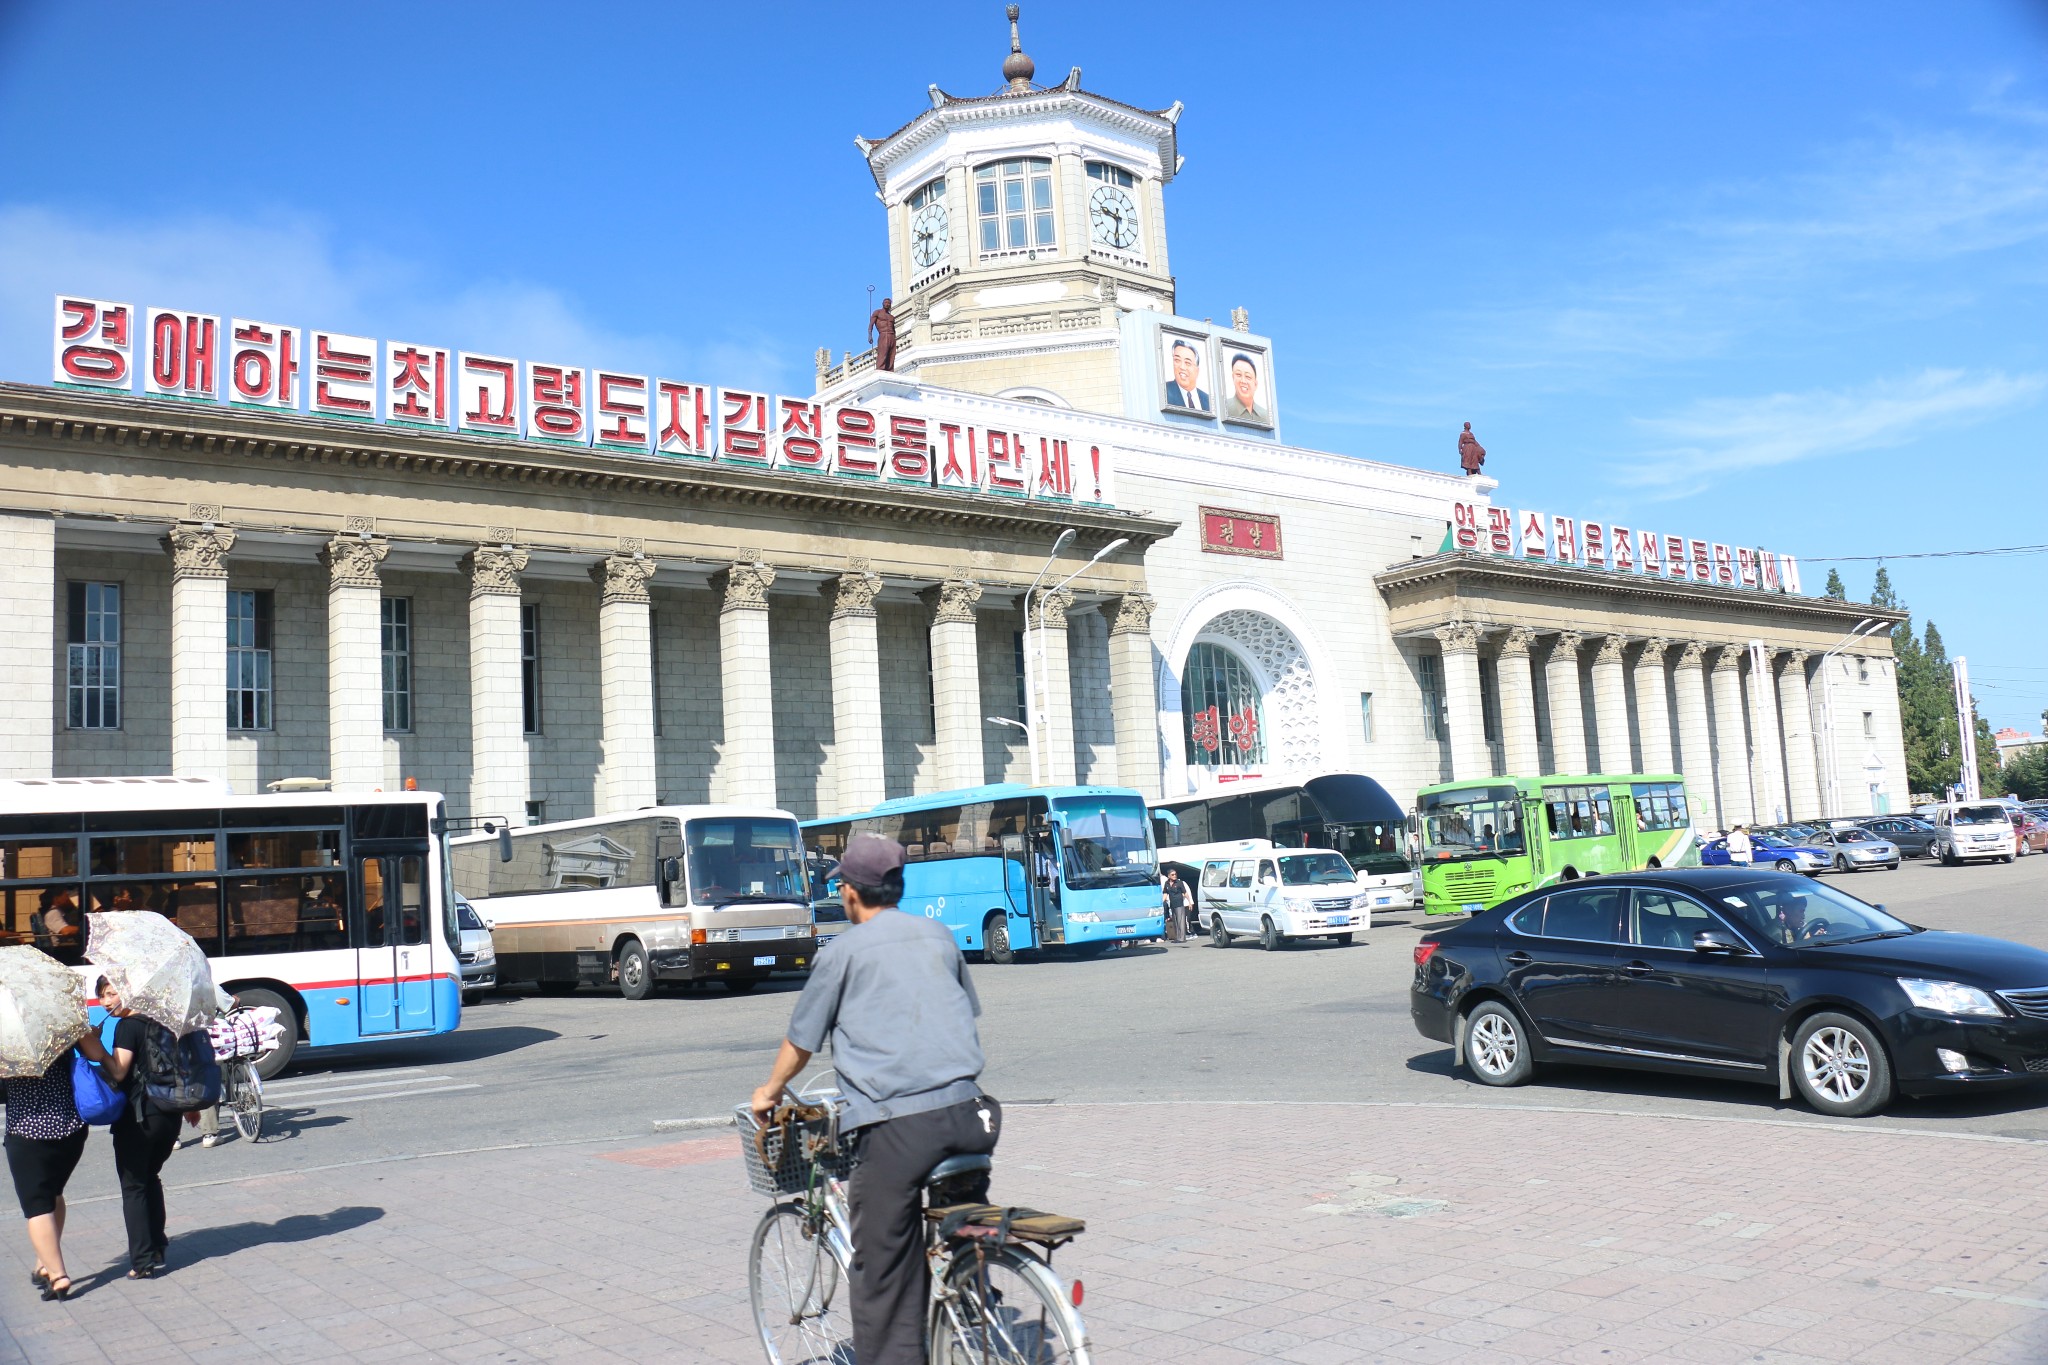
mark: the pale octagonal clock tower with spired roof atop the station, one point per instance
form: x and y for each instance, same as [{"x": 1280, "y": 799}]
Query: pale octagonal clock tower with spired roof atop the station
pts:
[{"x": 1023, "y": 228}]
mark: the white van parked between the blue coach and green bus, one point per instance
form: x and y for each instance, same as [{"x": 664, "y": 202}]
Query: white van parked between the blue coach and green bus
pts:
[{"x": 1281, "y": 895}]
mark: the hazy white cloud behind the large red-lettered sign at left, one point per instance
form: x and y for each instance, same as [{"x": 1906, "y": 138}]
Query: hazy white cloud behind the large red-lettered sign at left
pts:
[{"x": 292, "y": 271}]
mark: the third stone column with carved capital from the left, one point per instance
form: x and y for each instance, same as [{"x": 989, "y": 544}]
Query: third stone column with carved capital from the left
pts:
[{"x": 497, "y": 709}]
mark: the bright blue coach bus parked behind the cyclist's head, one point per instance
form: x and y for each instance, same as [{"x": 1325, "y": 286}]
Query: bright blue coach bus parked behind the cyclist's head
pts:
[{"x": 1015, "y": 867}]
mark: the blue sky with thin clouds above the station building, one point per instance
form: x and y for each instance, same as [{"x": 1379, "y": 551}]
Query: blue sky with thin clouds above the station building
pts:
[{"x": 1760, "y": 273}]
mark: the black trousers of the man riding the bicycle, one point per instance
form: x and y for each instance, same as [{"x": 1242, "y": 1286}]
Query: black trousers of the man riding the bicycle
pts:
[{"x": 888, "y": 1206}]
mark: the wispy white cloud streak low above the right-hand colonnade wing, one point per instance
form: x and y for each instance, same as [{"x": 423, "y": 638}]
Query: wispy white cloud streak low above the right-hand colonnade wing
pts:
[{"x": 1723, "y": 437}]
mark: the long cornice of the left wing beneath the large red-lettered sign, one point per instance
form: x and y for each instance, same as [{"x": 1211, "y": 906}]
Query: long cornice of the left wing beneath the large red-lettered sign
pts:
[{"x": 136, "y": 425}]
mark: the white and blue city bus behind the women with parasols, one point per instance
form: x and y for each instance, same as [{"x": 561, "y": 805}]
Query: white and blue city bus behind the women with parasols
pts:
[{"x": 335, "y": 910}]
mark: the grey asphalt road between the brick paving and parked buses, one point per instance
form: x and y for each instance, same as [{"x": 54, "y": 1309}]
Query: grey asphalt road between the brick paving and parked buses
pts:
[{"x": 1187, "y": 1022}]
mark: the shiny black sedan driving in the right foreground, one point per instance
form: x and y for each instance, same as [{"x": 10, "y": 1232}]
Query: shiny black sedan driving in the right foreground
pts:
[{"x": 1738, "y": 975}]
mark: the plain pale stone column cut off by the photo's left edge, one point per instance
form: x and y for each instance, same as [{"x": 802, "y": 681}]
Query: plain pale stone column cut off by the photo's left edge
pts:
[{"x": 30, "y": 607}]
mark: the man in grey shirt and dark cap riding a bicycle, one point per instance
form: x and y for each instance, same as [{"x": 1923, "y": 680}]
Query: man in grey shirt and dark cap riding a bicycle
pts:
[{"x": 894, "y": 998}]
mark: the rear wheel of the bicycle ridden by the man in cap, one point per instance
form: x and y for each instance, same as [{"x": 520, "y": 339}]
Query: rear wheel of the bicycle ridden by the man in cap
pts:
[{"x": 1005, "y": 1309}]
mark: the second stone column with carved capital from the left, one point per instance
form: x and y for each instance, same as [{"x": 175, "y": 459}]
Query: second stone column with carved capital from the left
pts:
[{"x": 355, "y": 662}]
